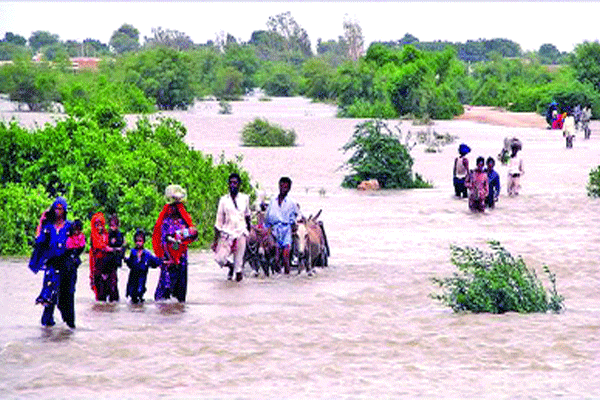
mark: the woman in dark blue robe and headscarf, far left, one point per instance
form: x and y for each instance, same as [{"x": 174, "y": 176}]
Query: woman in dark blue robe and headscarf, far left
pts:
[{"x": 50, "y": 255}]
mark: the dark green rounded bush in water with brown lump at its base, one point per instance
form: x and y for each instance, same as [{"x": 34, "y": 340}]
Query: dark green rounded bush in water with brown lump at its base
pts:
[{"x": 379, "y": 154}]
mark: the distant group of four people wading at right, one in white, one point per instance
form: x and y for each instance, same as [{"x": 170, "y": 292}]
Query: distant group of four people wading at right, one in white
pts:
[{"x": 481, "y": 185}]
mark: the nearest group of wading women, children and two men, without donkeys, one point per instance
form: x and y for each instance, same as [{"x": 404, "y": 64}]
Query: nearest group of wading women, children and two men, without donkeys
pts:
[{"x": 60, "y": 242}]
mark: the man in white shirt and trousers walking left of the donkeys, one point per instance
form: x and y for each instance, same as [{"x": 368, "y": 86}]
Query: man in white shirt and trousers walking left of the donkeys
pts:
[{"x": 231, "y": 228}]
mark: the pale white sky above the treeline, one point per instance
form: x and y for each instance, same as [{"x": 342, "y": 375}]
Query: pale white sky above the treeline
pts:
[{"x": 530, "y": 24}]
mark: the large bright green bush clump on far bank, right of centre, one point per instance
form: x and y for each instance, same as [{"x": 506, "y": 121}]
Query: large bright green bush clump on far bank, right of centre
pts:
[{"x": 405, "y": 82}]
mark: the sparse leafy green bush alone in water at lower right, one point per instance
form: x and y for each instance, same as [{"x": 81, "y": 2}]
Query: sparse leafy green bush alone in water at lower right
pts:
[{"x": 495, "y": 282}]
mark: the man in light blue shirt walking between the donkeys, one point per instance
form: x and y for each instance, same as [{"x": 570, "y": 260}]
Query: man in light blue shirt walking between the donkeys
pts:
[{"x": 281, "y": 218}]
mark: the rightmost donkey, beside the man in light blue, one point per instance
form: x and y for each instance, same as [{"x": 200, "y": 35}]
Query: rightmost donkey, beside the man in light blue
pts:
[{"x": 311, "y": 244}]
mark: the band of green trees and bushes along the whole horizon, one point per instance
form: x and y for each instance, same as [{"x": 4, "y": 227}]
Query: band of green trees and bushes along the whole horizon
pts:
[{"x": 404, "y": 78}]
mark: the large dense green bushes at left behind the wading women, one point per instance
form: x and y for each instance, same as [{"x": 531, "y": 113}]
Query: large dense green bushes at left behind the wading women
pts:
[{"x": 97, "y": 165}]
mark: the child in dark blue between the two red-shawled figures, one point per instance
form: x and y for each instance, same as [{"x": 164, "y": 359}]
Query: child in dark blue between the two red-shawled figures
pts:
[{"x": 138, "y": 262}]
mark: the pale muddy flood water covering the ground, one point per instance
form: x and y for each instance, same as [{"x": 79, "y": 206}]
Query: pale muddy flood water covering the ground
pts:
[{"x": 363, "y": 328}]
